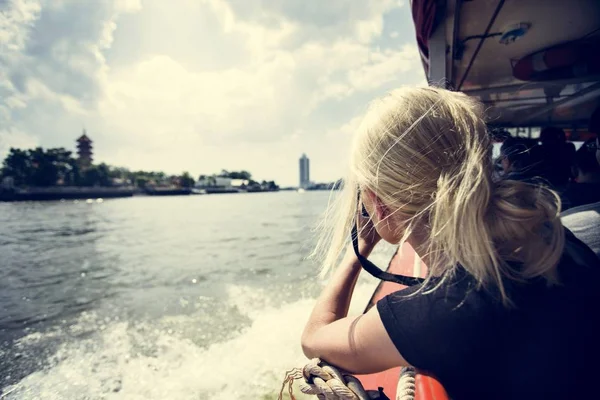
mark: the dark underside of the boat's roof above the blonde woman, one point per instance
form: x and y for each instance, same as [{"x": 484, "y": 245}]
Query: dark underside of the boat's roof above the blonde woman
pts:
[{"x": 462, "y": 49}]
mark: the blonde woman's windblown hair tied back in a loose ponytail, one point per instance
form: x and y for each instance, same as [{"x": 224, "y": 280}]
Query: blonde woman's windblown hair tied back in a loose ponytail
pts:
[{"x": 426, "y": 153}]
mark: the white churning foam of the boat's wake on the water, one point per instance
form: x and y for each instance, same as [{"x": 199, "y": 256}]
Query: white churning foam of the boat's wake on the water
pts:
[{"x": 146, "y": 361}]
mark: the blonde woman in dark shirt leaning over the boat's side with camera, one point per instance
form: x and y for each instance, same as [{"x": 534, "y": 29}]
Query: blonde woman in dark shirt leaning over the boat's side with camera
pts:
[{"x": 510, "y": 306}]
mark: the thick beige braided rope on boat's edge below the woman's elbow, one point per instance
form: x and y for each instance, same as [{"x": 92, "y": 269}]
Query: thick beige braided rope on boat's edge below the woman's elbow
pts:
[{"x": 329, "y": 383}]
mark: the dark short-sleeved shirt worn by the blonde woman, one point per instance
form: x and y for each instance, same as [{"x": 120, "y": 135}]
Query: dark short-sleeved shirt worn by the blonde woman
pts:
[{"x": 544, "y": 347}]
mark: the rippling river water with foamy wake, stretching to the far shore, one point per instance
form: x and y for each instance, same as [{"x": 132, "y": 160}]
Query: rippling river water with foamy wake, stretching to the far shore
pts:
[{"x": 195, "y": 297}]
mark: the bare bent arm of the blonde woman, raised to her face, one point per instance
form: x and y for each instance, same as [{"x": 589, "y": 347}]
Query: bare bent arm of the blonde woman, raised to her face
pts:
[{"x": 356, "y": 344}]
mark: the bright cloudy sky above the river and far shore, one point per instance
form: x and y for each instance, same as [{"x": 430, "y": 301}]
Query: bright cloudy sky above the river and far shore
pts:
[{"x": 201, "y": 85}]
